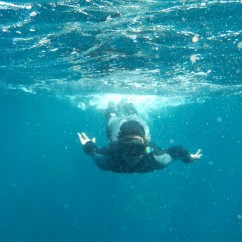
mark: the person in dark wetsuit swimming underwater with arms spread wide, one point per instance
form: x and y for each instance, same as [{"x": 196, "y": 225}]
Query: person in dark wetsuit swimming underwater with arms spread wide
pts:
[{"x": 129, "y": 149}]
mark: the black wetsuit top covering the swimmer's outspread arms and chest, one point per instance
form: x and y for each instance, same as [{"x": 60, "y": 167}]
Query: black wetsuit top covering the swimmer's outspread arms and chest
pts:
[{"x": 111, "y": 158}]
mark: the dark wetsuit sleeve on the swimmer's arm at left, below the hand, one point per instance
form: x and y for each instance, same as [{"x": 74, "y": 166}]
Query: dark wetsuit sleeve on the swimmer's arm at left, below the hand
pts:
[{"x": 99, "y": 155}]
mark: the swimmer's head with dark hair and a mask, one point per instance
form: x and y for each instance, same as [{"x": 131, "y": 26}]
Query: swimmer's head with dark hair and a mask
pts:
[{"x": 131, "y": 140}]
